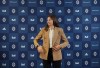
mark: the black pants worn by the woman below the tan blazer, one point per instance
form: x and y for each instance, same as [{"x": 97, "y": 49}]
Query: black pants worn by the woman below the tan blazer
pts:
[{"x": 47, "y": 63}]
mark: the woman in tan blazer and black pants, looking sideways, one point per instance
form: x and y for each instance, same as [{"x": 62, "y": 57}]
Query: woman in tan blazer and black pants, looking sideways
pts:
[{"x": 50, "y": 51}]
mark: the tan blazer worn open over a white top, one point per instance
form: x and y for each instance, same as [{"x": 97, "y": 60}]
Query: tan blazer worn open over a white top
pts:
[{"x": 58, "y": 36}]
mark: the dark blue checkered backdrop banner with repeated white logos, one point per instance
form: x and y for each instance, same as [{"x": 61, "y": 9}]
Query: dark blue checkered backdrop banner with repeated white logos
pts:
[{"x": 21, "y": 20}]
